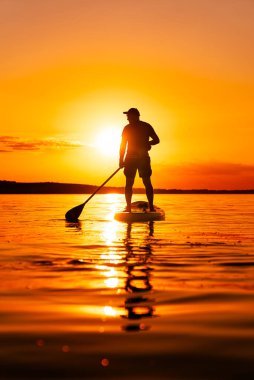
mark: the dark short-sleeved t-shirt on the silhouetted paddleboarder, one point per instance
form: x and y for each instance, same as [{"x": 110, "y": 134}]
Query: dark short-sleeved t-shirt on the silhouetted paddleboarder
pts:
[{"x": 137, "y": 136}]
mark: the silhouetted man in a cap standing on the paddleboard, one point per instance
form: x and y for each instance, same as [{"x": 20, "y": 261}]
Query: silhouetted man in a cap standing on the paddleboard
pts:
[{"x": 134, "y": 155}]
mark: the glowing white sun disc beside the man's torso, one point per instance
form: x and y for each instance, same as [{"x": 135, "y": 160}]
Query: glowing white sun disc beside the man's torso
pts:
[{"x": 107, "y": 141}]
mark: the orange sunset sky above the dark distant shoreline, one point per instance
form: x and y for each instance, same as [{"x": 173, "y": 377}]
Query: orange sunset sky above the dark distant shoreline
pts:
[{"x": 69, "y": 68}]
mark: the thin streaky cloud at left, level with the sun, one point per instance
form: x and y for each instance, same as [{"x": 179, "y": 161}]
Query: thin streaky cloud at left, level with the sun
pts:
[{"x": 11, "y": 144}]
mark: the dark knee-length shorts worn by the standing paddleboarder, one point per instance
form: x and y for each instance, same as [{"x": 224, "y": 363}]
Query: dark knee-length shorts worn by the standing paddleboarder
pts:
[{"x": 143, "y": 165}]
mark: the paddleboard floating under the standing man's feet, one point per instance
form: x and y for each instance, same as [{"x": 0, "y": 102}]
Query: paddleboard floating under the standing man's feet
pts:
[{"x": 140, "y": 213}]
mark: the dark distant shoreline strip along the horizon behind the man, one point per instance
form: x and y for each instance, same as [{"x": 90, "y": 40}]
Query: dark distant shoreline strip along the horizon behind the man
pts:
[{"x": 13, "y": 187}]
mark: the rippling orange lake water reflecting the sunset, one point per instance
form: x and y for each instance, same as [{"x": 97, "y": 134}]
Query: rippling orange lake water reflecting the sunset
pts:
[{"x": 172, "y": 299}]
